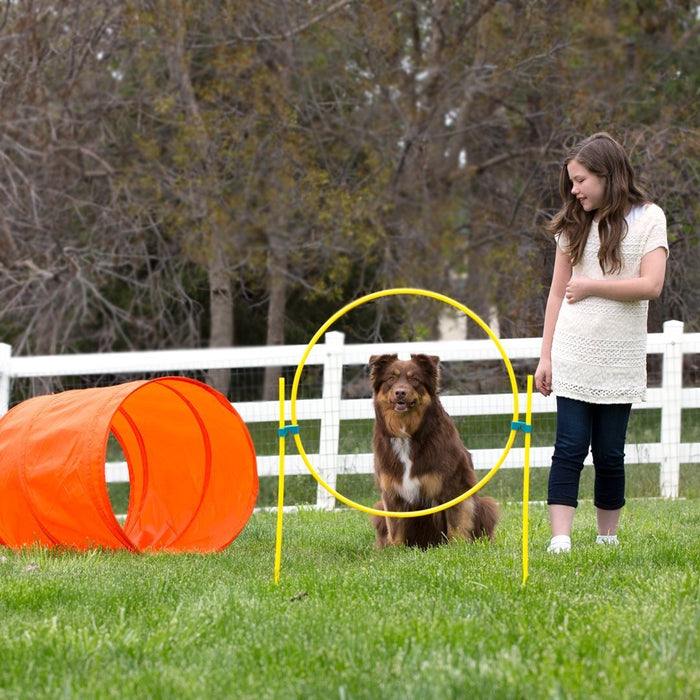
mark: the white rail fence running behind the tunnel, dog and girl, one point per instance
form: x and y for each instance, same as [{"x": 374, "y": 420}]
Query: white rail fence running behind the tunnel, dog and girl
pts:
[{"x": 333, "y": 354}]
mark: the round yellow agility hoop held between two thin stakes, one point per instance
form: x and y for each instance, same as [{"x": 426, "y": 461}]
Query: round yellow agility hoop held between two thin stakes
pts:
[{"x": 324, "y": 328}]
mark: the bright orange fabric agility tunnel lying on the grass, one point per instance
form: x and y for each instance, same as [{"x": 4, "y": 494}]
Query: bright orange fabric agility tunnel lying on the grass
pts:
[{"x": 192, "y": 468}]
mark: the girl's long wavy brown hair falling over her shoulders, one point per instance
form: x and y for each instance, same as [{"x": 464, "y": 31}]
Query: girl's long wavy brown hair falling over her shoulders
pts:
[{"x": 606, "y": 158}]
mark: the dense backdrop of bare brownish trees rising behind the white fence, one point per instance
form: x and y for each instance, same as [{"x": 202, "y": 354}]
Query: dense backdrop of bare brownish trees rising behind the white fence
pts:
[{"x": 164, "y": 164}]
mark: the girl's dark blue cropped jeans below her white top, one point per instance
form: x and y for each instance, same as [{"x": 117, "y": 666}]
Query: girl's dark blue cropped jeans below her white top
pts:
[{"x": 580, "y": 426}]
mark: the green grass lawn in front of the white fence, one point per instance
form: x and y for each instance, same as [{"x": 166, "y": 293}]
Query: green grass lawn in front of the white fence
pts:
[{"x": 346, "y": 621}]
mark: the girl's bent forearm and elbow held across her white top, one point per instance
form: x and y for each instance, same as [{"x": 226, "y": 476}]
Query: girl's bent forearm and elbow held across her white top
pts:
[{"x": 647, "y": 286}]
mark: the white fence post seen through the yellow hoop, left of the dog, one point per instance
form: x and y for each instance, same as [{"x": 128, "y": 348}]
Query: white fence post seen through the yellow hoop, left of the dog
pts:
[{"x": 329, "y": 437}]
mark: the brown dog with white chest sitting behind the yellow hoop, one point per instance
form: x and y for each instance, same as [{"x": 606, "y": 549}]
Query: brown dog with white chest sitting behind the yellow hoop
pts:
[{"x": 419, "y": 458}]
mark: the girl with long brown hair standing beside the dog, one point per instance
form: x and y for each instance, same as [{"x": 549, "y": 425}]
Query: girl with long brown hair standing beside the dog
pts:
[{"x": 610, "y": 260}]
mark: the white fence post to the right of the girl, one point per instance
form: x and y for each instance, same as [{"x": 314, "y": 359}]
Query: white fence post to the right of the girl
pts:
[{"x": 671, "y": 405}]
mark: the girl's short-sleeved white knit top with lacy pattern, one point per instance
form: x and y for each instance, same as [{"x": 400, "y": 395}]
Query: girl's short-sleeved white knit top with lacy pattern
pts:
[{"x": 599, "y": 345}]
